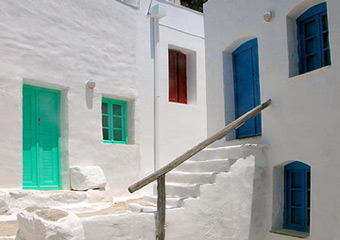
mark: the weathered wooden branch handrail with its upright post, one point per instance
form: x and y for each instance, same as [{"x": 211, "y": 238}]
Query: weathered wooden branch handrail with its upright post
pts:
[{"x": 159, "y": 175}]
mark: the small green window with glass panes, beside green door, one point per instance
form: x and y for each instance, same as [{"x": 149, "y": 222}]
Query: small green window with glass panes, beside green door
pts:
[{"x": 114, "y": 121}]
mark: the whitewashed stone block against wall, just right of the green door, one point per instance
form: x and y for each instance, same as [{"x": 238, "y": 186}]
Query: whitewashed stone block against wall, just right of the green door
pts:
[{"x": 87, "y": 177}]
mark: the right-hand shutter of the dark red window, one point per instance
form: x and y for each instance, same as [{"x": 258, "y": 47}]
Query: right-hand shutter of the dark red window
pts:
[{"x": 182, "y": 78}]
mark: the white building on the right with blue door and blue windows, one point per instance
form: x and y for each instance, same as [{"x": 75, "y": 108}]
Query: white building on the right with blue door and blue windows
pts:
[{"x": 298, "y": 69}]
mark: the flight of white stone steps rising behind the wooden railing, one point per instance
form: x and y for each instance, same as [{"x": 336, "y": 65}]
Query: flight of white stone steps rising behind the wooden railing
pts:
[{"x": 186, "y": 180}]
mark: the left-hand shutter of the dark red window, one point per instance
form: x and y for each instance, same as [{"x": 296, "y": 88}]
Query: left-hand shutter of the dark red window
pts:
[{"x": 173, "y": 76}]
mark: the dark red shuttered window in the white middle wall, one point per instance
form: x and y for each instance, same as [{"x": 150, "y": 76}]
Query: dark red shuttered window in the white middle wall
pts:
[{"x": 177, "y": 77}]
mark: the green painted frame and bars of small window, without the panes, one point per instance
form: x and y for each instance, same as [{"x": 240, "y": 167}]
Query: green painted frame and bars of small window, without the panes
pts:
[{"x": 111, "y": 128}]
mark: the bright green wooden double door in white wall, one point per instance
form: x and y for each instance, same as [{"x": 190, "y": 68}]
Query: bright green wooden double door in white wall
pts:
[{"x": 40, "y": 138}]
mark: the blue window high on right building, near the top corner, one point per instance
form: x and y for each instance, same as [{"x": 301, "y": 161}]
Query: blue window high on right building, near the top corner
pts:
[{"x": 313, "y": 38}]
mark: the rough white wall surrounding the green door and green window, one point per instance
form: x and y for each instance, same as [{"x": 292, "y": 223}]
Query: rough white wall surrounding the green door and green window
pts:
[{"x": 60, "y": 46}]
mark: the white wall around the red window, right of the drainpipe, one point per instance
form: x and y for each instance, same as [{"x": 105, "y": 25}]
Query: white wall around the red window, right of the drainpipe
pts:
[{"x": 180, "y": 126}]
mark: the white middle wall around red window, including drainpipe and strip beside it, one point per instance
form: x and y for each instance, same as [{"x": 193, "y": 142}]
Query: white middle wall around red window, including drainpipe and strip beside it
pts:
[{"x": 178, "y": 127}]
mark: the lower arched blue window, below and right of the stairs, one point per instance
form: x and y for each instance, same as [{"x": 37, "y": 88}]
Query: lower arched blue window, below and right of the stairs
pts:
[{"x": 297, "y": 196}]
